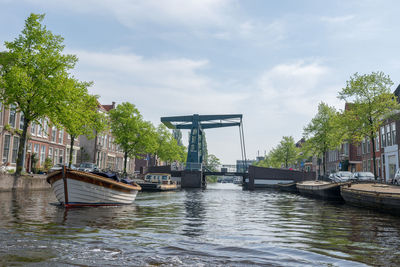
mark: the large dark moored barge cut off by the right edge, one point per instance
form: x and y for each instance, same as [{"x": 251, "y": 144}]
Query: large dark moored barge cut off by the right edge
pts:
[{"x": 381, "y": 197}]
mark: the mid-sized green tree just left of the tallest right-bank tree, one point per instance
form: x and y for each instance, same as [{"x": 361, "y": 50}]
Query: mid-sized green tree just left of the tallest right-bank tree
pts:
[{"x": 321, "y": 133}]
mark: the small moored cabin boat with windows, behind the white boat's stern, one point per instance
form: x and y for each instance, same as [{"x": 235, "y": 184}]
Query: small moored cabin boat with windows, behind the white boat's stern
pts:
[{"x": 157, "y": 182}]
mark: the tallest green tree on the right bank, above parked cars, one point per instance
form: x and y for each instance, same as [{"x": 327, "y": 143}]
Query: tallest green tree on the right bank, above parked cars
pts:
[{"x": 371, "y": 102}]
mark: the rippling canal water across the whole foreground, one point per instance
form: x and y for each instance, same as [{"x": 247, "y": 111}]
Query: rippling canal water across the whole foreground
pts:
[{"x": 219, "y": 226}]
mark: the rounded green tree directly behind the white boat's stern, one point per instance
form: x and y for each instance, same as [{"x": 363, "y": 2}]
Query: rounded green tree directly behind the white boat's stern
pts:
[{"x": 135, "y": 136}]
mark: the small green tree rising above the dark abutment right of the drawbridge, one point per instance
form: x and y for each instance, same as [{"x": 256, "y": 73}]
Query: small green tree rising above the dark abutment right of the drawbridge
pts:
[{"x": 285, "y": 153}]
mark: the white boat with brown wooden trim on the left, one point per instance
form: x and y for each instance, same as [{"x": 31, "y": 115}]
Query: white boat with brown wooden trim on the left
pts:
[{"x": 77, "y": 188}]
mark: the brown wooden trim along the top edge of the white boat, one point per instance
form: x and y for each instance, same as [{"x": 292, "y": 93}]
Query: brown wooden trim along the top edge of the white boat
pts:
[{"x": 93, "y": 179}]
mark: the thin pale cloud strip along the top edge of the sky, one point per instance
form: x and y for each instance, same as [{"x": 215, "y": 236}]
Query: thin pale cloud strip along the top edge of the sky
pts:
[{"x": 129, "y": 13}]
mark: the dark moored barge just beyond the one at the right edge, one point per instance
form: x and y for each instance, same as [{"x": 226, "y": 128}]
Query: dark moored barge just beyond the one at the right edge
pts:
[{"x": 320, "y": 189}]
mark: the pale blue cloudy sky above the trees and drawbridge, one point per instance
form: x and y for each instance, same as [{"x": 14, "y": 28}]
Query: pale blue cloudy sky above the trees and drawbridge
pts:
[{"x": 272, "y": 61}]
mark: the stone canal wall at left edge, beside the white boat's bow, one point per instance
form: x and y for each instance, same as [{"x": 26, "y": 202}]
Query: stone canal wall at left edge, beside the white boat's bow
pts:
[{"x": 9, "y": 182}]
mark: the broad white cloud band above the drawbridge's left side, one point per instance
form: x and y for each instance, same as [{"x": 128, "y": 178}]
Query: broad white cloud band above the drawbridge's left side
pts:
[{"x": 160, "y": 87}]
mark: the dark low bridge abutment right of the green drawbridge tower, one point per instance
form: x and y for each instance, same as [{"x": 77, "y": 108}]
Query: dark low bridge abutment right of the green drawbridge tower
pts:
[{"x": 260, "y": 177}]
